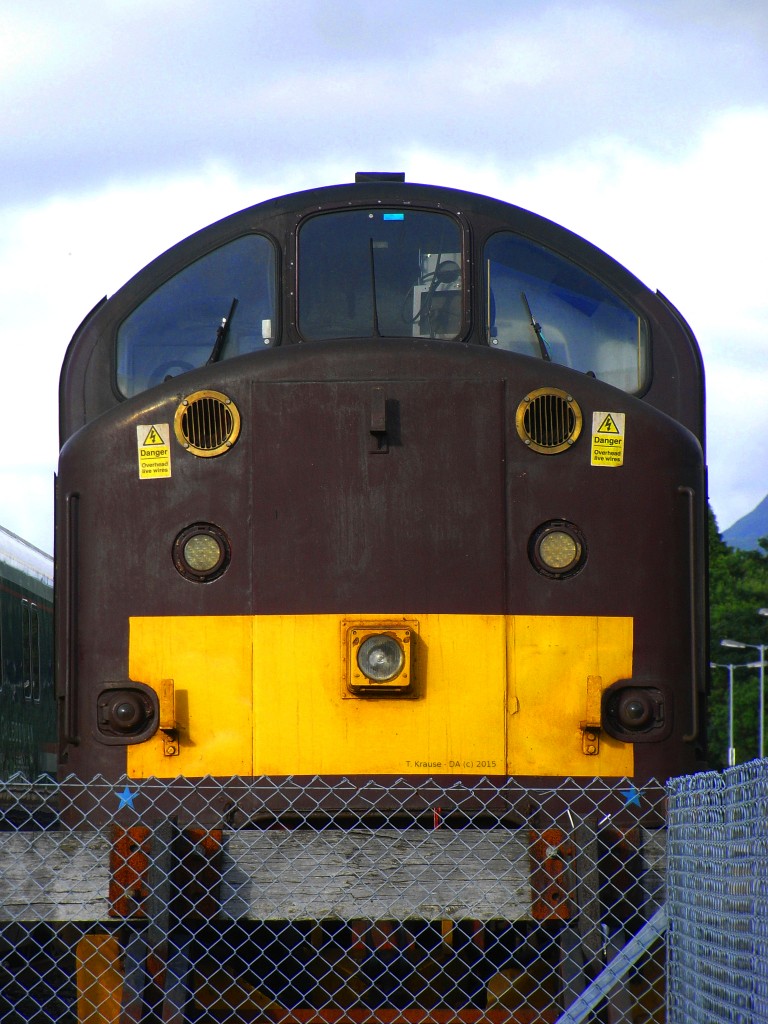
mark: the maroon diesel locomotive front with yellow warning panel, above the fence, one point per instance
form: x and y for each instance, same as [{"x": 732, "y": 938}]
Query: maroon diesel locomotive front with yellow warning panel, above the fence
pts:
[{"x": 381, "y": 481}]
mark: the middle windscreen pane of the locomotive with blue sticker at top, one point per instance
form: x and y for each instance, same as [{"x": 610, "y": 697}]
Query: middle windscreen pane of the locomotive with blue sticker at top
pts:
[{"x": 380, "y": 274}]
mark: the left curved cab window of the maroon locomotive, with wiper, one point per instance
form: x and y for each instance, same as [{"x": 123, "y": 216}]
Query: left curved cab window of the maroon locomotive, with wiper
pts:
[{"x": 220, "y": 307}]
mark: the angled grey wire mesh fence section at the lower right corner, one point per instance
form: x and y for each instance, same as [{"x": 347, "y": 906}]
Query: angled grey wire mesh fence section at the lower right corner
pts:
[{"x": 718, "y": 897}]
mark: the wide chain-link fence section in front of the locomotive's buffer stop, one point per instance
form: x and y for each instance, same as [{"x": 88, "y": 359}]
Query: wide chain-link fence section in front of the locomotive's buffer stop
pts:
[{"x": 327, "y": 902}]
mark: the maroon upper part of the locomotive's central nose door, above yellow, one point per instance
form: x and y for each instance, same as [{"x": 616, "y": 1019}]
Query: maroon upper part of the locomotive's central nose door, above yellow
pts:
[{"x": 380, "y": 496}]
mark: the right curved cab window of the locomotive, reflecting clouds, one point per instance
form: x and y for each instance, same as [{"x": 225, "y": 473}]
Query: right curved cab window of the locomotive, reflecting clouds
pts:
[{"x": 543, "y": 306}]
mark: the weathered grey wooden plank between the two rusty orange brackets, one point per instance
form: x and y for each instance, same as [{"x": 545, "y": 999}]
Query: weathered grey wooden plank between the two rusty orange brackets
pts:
[{"x": 377, "y": 875}]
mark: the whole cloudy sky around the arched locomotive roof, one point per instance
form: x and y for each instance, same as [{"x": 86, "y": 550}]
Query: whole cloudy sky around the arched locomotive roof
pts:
[{"x": 125, "y": 125}]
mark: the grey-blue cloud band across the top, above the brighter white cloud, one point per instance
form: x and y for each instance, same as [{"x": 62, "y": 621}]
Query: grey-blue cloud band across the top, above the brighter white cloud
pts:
[{"x": 111, "y": 92}]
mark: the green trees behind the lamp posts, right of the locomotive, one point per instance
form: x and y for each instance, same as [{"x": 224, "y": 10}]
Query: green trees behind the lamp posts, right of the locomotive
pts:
[{"x": 739, "y": 587}]
